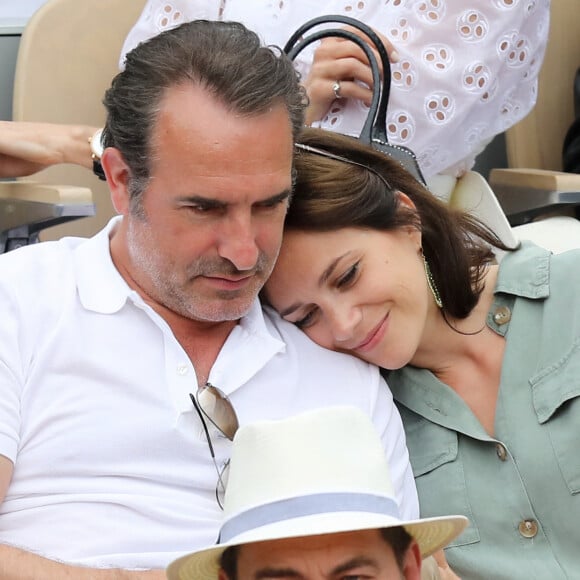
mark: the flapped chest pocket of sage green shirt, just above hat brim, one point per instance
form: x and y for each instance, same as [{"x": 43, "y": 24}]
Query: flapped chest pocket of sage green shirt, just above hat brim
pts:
[{"x": 438, "y": 471}]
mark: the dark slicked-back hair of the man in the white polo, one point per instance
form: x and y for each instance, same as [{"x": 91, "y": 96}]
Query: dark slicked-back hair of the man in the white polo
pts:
[{"x": 224, "y": 58}]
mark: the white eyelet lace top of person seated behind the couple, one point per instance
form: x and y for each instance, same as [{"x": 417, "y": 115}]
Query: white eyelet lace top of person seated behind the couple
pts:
[{"x": 467, "y": 70}]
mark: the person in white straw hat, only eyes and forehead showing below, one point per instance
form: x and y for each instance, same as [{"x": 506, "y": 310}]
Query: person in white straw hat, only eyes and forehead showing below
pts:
[{"x": 310, "y": 497}]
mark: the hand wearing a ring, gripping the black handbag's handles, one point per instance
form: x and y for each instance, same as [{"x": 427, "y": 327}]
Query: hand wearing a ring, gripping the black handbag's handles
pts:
[{"x": 339, "y": 59}]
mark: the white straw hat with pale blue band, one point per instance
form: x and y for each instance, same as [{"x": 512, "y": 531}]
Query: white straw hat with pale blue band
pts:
[{"x": 320, "y": 472}]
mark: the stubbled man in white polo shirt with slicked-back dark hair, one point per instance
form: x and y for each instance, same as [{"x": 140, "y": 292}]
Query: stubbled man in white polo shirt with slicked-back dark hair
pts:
[{"x": 111, "y": 450}]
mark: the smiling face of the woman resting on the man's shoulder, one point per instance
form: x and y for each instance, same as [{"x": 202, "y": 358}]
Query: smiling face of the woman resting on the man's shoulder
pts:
[{"x": 354, "y": 290}]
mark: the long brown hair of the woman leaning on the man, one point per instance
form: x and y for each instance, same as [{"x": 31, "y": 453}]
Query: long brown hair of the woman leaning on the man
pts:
[{"x": 330, "y": 194}]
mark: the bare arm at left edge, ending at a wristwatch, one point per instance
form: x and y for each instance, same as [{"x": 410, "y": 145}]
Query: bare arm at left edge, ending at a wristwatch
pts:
[{"x": 26, "y": 148}]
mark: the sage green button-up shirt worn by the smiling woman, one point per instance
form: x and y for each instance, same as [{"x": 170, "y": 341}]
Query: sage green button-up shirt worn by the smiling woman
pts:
[{"x": 521, "y": 488}]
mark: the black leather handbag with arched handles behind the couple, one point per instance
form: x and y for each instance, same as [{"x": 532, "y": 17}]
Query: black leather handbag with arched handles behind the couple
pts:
[{"x": 374, "y": 131}]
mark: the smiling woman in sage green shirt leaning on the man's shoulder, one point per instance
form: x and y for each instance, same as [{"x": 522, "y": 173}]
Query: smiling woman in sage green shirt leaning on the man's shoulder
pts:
[{"x": 483, "y": 359}]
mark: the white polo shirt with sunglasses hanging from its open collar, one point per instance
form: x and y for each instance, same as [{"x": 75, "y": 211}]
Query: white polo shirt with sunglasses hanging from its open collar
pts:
[{"x": 112, "y": 467}]
